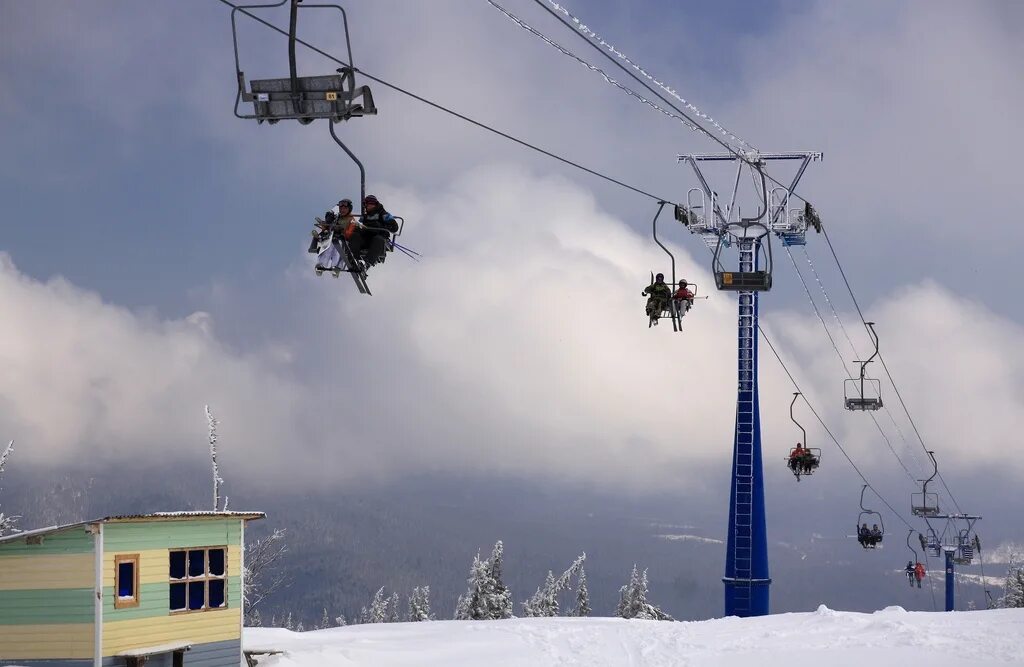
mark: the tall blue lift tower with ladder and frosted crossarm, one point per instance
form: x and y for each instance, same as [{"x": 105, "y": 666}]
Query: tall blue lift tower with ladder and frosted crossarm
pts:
[{"x": 747, "y": 577}]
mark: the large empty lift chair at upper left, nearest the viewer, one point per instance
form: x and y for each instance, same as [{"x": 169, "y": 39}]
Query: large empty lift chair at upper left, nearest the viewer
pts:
[{"x": 333, "y": 97}]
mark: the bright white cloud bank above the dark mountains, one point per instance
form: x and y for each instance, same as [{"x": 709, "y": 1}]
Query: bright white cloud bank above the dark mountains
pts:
[{"x": 518, "y": 347}]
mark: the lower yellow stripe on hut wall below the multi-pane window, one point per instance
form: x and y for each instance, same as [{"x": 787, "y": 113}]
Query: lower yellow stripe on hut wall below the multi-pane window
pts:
[{"x": 198, "y": 628}]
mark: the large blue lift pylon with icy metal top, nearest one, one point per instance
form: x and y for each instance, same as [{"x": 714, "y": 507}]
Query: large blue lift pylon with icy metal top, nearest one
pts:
[{"x": 722, "y": 227}]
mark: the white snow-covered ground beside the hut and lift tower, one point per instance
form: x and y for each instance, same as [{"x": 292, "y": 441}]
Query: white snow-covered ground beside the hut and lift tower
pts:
[{"x": 823, "y": 639}]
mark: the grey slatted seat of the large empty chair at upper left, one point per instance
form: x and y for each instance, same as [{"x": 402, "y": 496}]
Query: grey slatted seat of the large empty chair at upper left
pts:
[{"x": 330, "y": 97}]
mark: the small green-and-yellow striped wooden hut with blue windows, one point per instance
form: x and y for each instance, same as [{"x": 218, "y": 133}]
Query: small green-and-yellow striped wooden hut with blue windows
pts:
[{"x": 161, "y": 591}]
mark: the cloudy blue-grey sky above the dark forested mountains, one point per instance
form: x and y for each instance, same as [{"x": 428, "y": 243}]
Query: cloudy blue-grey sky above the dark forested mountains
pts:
[{"x": 155, "y": 244}]
